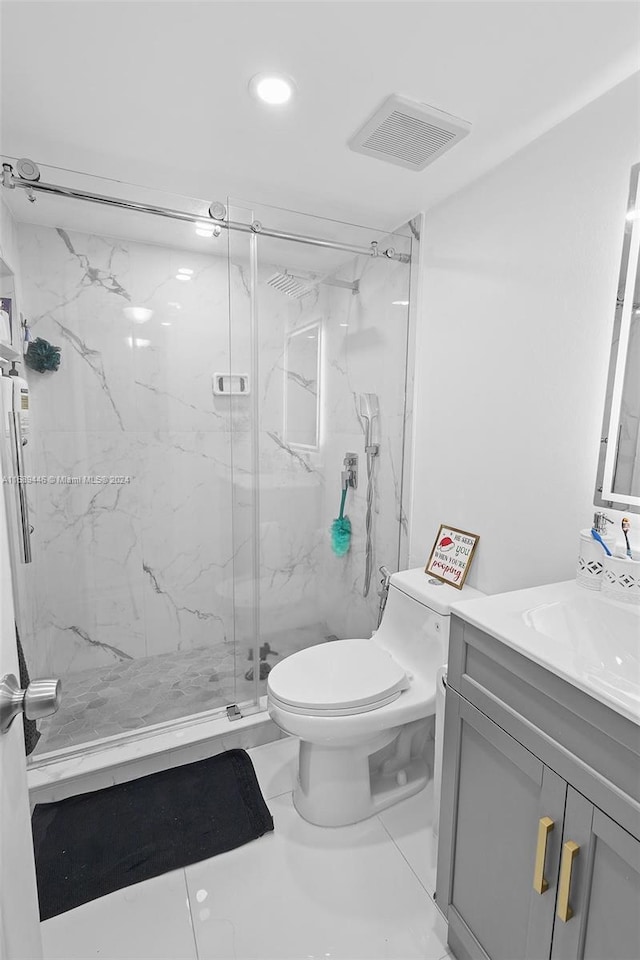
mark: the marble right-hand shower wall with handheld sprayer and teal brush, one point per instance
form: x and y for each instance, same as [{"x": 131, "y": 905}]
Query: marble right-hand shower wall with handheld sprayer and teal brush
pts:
[{"x": 364, "y": 349}]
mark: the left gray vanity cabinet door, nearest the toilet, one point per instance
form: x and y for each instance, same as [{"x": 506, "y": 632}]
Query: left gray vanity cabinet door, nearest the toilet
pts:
[{"x": 503, "y": 792}]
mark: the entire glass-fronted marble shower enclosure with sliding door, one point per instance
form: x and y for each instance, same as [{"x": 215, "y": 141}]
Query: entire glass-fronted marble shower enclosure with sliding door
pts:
[{"x": 185, "y": 459}]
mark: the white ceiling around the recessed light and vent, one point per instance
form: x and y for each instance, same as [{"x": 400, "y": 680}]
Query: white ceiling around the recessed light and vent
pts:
[{"x": 156, "y": 93}]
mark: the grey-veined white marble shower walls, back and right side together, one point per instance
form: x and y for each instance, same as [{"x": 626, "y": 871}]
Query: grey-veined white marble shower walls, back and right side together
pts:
[{"x": 147, "y": 567}]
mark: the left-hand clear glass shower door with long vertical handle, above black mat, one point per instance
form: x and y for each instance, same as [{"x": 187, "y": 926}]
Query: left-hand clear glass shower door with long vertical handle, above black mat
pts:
[{"x": 128, "y": 598}]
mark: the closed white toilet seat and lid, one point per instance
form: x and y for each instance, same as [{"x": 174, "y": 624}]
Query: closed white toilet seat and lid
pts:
[{"x": 336, "y": 679}]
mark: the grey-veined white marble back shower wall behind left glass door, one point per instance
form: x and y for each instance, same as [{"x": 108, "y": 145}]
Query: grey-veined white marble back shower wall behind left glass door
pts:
[{"x": 127, "y": 570}]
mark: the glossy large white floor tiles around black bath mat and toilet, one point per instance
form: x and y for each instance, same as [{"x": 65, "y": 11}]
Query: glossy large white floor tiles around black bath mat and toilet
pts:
[{"x": 362, "y": 892}]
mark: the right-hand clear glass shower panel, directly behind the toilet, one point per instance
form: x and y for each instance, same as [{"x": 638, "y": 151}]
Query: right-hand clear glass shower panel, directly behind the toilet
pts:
[{"x": 318, "y": 327}]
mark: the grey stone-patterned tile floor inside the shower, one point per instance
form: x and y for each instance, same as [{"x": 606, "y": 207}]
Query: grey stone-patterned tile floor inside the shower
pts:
[{"x": 124, "y": 696}]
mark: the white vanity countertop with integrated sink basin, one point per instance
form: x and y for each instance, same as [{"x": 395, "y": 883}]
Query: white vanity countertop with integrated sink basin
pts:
[{"x": 587, "y": 639}]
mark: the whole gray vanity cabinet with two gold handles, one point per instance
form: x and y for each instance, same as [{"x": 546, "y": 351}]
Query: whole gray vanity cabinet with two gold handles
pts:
[{"x": 531, "y": 865}]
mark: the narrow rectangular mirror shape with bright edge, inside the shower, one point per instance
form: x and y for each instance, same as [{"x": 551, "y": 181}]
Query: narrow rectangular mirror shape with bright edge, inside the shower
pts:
[{"x": 302, "y": 386}]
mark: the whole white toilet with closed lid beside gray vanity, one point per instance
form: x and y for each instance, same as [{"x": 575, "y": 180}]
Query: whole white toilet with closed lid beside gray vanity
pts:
[{"x": 362, "y": 709}]
